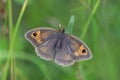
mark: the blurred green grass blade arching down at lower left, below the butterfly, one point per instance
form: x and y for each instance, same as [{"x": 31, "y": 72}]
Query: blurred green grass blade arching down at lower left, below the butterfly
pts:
[{"x": 42, "y": 67}]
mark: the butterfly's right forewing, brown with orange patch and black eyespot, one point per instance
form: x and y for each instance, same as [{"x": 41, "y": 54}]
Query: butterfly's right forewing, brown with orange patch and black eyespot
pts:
[{"x": 79, "y": 48}]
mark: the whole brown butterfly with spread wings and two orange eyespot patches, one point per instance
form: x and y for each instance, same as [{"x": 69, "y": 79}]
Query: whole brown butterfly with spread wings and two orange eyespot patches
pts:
[{"x": 56, "y": 45}]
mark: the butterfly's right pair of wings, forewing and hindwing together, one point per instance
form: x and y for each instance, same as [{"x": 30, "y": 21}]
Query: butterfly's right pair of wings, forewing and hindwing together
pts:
[{"x": 72, "y": 50}]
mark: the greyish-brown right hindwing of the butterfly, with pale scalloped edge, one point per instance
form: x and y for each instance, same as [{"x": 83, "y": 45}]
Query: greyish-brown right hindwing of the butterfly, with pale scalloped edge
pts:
[{"x": 63, "y": 56}]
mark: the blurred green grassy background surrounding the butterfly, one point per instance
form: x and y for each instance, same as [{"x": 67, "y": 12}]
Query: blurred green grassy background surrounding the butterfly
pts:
[{"x": 97, "y": 23}]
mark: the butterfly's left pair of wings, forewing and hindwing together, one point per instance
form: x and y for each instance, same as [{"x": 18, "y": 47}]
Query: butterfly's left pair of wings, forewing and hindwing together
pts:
[{"x": 43, "y": 39}]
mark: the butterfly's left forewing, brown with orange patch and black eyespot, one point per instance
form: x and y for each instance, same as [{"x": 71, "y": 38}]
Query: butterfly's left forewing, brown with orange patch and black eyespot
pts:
[{"x": 38, "y": 35}]
